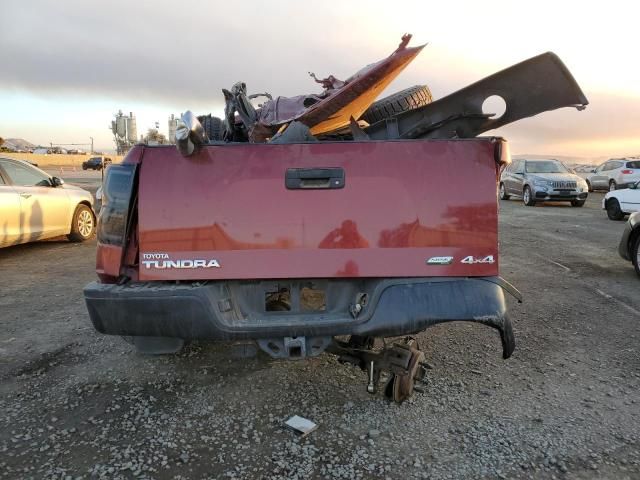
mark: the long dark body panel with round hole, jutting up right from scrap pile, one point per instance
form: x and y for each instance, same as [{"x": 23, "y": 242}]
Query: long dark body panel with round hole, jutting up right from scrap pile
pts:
[{"x": 537, "y": 85}]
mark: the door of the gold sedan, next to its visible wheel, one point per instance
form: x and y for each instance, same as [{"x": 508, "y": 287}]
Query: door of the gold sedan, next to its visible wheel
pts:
[{"x": 46, "y": 210}]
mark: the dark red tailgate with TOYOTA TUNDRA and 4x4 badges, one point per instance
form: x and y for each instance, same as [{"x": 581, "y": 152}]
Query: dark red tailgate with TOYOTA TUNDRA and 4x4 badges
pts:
[{"x": 409, "y": 208}]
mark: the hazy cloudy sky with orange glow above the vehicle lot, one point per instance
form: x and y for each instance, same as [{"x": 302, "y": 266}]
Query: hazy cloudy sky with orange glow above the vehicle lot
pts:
[{"x": 68, "y": 66}]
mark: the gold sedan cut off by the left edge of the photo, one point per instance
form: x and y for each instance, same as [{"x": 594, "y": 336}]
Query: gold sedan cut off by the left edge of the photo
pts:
[{"x": 35, "y": 206}]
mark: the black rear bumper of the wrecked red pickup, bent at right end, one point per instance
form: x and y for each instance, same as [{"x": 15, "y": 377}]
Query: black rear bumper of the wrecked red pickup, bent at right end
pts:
[{"x": 235, "y": 310}]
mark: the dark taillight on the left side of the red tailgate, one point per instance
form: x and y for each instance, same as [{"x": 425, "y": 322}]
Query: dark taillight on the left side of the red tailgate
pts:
[{"x": 116, "y": 204}]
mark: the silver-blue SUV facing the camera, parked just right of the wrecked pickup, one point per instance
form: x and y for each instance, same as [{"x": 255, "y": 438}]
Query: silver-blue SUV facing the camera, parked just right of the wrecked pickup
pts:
[{"x": 542, "y": 180}]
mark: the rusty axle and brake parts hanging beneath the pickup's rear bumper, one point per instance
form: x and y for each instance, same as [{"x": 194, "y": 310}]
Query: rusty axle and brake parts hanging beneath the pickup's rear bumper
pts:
[{"x": 404, "y": 363}]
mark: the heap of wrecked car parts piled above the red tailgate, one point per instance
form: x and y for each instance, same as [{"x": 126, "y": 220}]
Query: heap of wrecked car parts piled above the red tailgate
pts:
[{"x": 344, "y": 110}]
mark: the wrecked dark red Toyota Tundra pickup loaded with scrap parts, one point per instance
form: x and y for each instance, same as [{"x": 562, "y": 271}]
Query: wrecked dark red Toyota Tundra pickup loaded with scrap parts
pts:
[{"x": 320, "y": 223}]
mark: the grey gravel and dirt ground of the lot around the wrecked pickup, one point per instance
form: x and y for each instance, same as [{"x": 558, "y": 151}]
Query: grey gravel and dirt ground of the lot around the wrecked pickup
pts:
[{"x": 75, "y": 404}]
